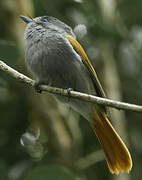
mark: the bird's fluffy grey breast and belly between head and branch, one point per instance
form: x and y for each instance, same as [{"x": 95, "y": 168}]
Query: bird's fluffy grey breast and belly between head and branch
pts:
[{"x": 51, "y": 58}]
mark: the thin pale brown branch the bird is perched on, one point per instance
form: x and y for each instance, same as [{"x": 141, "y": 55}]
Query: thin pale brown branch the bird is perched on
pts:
[{"x": 77, "y": 95}]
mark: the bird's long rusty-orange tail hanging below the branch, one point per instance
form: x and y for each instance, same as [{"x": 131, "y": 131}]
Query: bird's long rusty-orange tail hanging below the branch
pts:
[{"x": 117, "y": 155}]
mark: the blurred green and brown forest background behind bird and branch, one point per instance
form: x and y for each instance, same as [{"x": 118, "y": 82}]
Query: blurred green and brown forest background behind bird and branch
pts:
[{"x": 39, "y": 137}]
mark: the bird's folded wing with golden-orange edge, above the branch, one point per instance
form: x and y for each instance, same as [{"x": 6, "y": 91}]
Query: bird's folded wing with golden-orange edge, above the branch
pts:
[{"x": 78, "y": 48}]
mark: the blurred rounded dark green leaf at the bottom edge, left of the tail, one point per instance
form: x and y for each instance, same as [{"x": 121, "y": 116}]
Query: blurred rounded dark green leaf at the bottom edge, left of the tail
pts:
[{"x": 51, "y": 172}]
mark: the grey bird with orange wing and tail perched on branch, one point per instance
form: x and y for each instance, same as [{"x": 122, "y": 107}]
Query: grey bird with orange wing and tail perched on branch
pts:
[{"x": 55, "y": 57}]
